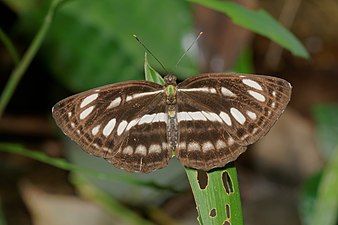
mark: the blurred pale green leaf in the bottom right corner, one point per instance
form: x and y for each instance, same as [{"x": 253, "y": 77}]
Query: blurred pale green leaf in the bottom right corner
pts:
[{"x": 326, "y": 206}]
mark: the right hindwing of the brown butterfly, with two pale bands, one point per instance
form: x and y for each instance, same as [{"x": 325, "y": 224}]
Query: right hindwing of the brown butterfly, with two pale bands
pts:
[{"x": 204, "y": 143}]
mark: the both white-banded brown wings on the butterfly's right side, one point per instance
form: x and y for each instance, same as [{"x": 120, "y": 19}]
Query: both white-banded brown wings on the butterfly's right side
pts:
[{"x": 220, "y": 114}]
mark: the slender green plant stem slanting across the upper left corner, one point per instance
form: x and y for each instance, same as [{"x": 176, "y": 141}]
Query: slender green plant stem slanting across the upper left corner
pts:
[{"x": 21, "y": 68}]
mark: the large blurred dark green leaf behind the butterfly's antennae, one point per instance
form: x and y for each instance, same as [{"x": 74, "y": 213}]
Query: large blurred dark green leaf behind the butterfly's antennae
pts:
[{"x": 91, "y": 42}]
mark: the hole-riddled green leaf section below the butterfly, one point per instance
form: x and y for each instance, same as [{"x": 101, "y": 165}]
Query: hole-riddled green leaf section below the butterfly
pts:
[{"x": 218, "y": 199}]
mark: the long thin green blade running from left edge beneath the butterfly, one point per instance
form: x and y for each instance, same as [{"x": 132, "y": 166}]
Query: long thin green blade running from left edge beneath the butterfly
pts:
[{"x": 64, "y": 165}]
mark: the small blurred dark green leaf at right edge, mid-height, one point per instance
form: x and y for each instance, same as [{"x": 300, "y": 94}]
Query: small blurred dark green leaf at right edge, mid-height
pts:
[{"x": 327, "y": 127}]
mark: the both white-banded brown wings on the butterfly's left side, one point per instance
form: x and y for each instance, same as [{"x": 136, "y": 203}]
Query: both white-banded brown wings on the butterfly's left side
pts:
[{"x": 109, "y": 122}]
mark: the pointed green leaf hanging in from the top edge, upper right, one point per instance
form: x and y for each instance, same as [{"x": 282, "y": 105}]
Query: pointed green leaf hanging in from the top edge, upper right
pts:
[{"x": 259, "y": 22}]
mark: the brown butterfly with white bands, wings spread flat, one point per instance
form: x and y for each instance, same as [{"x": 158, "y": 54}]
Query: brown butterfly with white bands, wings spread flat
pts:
[{"x": 205, "y": 121}]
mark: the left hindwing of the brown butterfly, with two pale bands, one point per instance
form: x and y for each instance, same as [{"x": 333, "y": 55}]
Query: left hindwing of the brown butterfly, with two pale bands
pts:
[{"x": 144, "y": 148}]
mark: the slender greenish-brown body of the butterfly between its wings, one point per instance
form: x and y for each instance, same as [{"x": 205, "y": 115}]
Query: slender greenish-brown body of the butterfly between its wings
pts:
[{"x": 172, "y": 125}]
